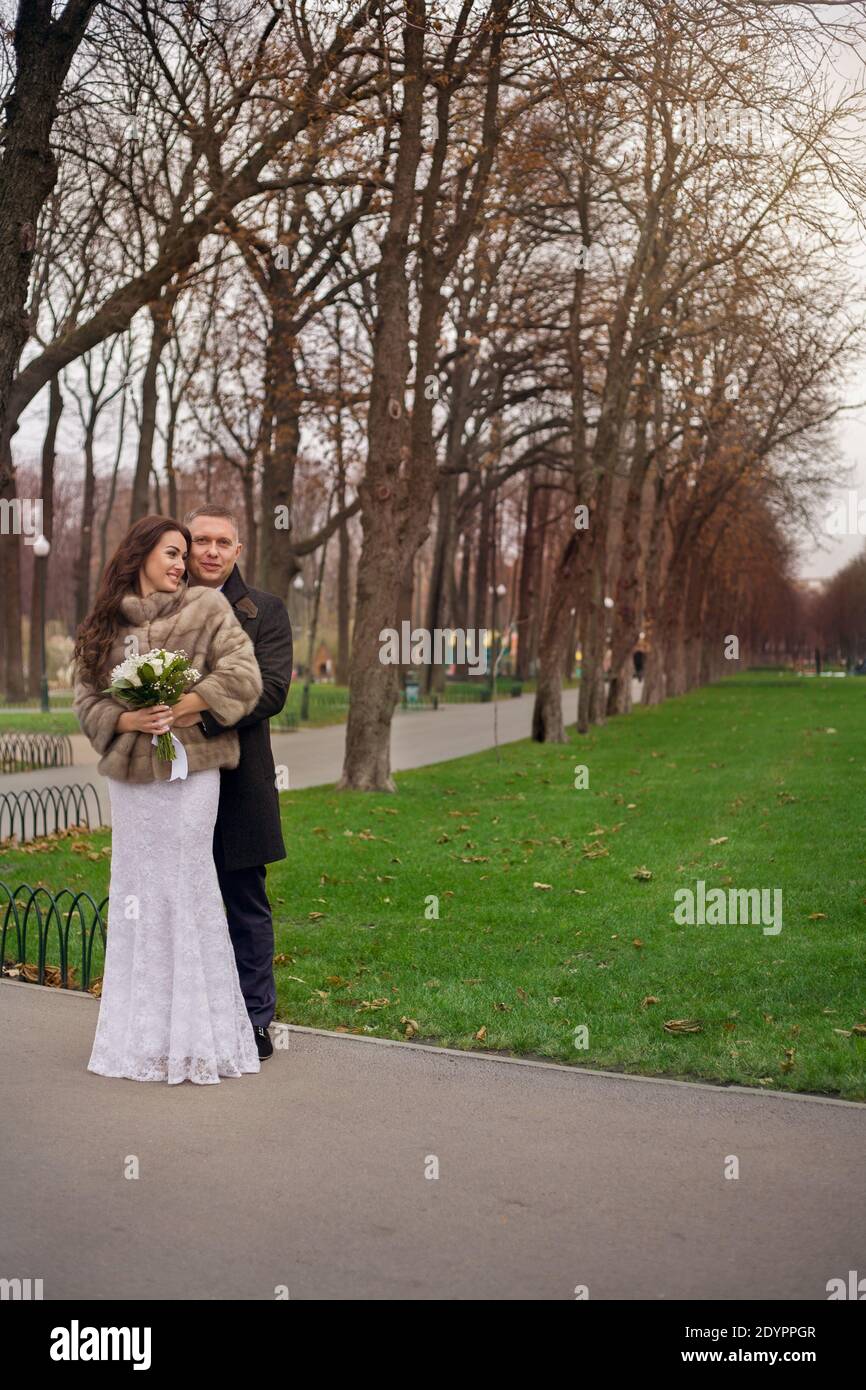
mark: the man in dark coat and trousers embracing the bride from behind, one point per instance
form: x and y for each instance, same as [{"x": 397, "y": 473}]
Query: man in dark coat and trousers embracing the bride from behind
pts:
[{"x": 248, "y": 835}]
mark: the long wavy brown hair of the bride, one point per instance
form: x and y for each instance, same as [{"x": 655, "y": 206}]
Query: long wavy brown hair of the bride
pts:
[{"x": 97, "y": 635}]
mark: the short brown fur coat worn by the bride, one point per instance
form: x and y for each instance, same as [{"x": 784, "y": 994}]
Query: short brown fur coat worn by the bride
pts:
[{"x": 195, "y": 621}]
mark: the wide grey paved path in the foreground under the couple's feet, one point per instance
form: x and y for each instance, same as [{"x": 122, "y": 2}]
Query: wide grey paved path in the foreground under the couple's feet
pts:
[{"x": 312, "y": 1175}]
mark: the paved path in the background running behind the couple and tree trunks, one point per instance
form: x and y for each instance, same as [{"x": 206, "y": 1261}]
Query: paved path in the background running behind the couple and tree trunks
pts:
[{"x": 315, "y": 757}]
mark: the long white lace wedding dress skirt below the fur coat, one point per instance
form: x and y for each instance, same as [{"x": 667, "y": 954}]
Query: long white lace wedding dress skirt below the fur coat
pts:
[{"x": 172, "y": 1006}]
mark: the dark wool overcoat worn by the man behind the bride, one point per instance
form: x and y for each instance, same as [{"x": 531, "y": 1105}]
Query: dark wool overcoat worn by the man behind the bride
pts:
[{"x": 248, "y": 824}]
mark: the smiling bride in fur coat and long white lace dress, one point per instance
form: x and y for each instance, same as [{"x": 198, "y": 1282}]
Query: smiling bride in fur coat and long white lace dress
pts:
[{"x": 172, "y": 1006}]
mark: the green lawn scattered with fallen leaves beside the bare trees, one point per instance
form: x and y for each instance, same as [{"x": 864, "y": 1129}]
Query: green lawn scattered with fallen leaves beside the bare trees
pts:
[{"x": 543, "y": 926}]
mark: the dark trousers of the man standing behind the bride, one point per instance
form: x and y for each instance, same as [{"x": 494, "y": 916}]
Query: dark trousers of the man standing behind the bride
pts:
[{"x": 252, "y": 931}]
